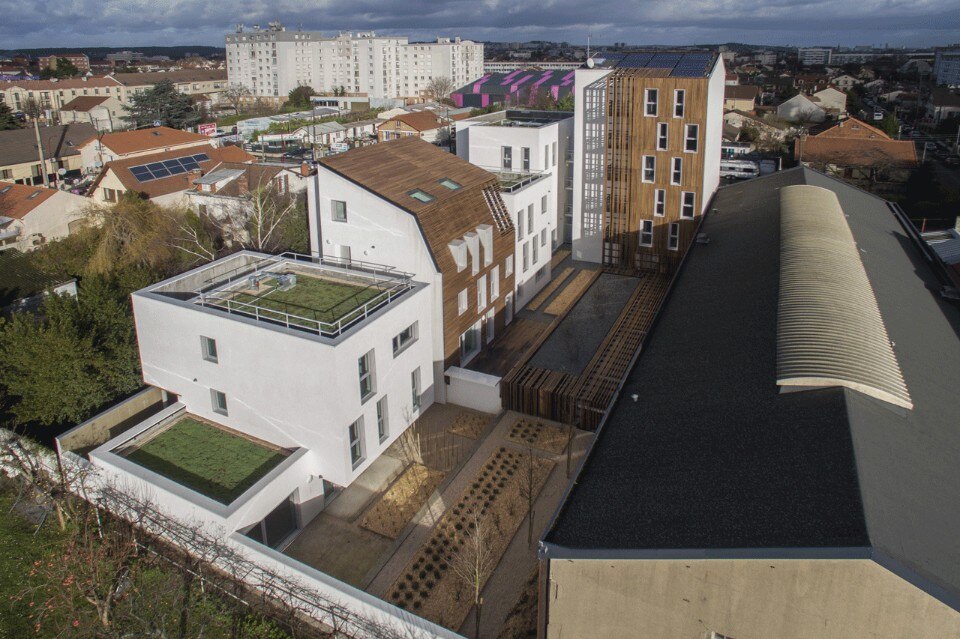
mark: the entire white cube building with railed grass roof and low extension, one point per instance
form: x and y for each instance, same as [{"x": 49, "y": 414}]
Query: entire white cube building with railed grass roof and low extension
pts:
[{"x": 253, "y": 353}]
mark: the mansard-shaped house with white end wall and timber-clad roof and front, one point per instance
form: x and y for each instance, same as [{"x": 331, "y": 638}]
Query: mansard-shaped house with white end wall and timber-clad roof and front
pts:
[{"x": 421, "y": 210}]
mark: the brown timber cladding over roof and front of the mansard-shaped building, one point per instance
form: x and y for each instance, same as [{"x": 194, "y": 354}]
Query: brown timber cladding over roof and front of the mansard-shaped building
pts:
[{"x": 393, "y": 171}]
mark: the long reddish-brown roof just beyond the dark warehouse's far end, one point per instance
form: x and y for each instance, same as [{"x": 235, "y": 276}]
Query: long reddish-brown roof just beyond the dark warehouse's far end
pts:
[{"x": 864, "y": 152}]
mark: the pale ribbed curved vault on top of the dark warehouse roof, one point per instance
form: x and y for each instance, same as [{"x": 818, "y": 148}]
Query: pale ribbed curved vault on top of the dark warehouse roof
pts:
[{"x": 829, "y": 328}]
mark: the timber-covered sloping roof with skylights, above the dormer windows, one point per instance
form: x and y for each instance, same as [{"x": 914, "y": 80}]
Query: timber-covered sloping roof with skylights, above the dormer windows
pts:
[{"x": 393, "y": 169}]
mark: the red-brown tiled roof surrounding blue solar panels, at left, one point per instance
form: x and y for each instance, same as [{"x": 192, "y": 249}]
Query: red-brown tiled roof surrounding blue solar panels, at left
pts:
[{"x": 173, "y": 183}]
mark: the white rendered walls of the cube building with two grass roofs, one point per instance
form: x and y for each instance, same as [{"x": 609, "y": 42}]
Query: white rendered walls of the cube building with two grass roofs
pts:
[{"x": 296, "y": 385}]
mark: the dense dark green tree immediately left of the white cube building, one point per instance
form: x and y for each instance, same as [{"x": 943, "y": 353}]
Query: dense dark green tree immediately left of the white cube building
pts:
[{"x": 77, "y": 356}]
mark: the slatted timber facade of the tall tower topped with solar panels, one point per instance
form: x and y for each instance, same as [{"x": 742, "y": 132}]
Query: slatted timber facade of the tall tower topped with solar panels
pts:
[{"x": 632, "y": 135}]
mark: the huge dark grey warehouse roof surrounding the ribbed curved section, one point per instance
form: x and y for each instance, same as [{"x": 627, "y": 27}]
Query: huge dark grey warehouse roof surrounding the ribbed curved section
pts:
[{"x": 730, "y": 464}]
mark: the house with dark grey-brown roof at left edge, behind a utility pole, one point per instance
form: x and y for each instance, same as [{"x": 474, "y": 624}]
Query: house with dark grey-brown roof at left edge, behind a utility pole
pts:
[{"x": 20, "y": 157}]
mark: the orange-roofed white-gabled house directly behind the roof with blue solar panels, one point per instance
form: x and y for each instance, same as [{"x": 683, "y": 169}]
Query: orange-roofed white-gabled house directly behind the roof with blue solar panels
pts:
[{"x": 128, "y": 144}]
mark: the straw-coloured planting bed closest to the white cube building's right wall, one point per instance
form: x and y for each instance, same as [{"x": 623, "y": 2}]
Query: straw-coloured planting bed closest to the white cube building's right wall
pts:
[{"x": 391, "y": 513}]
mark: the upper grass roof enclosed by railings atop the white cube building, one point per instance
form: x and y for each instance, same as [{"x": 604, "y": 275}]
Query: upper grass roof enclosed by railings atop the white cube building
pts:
[{"x": 313, "y": 298}]
